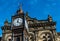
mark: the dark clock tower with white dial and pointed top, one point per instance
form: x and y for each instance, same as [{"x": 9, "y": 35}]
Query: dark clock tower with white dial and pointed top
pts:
[{"x": 18, "y": 26}]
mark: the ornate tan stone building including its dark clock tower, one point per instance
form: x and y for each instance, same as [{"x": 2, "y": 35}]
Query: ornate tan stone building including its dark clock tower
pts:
[{"x": 24, "y": 28}]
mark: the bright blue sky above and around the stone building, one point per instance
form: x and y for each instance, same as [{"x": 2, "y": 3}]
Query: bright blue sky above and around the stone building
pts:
[{"x": 36, "y": 8}]
